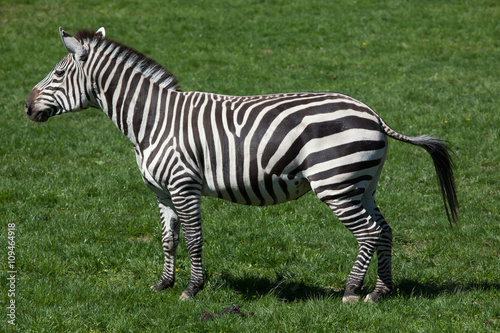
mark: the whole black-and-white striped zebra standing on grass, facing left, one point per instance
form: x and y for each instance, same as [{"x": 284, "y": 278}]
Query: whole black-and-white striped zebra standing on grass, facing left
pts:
[{"x": 254, "y": 150}]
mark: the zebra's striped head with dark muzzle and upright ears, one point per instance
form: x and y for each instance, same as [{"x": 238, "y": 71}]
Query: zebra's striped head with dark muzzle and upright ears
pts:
[{"x": 65, "y": 88}]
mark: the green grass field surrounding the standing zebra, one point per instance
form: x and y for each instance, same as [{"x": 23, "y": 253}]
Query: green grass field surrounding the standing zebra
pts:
[{"x": 87, "y": 231}]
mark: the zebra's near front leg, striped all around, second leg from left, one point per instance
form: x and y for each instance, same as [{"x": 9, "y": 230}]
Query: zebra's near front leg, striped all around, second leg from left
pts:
[{"x": 187, "y": 205}]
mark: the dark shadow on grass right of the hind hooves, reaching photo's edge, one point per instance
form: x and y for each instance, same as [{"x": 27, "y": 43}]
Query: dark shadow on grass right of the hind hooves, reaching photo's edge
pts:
[{"x": 412, "y": 288}]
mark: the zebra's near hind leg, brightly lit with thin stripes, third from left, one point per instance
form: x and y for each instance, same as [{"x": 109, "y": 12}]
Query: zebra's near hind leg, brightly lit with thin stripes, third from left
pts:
[{"x": 367, "y": 232}]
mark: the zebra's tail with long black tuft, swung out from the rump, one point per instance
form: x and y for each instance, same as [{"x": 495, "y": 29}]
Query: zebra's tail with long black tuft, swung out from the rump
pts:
[{"x": 440, "y": 153}]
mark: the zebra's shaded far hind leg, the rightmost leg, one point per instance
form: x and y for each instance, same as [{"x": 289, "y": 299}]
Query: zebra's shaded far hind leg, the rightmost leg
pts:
[{"x": 384, "y": 254}]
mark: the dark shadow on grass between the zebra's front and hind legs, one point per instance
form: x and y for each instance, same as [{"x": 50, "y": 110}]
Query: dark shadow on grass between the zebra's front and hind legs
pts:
[{"x": 284, "y": 289}]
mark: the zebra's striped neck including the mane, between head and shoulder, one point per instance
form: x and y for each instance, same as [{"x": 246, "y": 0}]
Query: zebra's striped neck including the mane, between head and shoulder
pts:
[{"x": 127, "y": 85}]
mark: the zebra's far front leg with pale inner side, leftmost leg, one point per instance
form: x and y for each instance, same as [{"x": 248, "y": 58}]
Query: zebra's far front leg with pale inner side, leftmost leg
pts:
[{"x": 170, "y": 228}]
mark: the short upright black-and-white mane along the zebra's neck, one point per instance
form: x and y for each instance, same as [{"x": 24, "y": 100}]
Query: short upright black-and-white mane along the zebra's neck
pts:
[{"x": 149, "y": 67}]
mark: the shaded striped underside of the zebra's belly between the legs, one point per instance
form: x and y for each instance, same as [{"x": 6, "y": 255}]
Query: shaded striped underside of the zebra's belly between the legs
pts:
[{"x": 269, "y": 190}]
